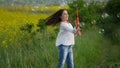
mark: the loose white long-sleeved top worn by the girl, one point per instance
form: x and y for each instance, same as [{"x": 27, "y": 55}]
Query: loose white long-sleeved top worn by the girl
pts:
[{"x": 66, "y": 34}]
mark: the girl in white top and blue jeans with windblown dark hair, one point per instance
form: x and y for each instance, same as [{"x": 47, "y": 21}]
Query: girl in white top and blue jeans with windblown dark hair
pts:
[{"x": 65, "y": 38}]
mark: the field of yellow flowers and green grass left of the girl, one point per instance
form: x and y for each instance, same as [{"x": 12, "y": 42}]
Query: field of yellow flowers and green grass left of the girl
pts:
[{"x": 21, "y": 49}]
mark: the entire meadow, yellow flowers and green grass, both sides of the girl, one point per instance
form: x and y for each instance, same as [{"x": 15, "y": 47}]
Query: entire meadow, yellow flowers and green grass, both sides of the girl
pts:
[{"x": 36, "y": 49}]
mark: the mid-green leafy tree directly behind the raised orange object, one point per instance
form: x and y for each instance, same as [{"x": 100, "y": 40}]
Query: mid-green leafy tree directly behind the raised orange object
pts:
[{"x": 88, "y": 12}]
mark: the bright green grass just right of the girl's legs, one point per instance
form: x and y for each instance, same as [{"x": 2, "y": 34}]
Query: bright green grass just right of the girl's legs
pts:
[{"x": 88, "y": 49}]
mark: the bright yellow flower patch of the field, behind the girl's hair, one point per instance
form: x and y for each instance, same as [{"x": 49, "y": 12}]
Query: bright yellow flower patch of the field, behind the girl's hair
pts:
[{"x": 13, "y": 17}]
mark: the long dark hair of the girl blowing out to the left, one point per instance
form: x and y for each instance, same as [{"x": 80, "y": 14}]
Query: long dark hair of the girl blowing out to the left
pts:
[{"x": 55, "y": 18}]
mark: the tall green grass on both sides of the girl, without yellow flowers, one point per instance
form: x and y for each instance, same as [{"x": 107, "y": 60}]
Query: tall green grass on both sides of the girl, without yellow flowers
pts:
[{"x": 40, "y": 51}]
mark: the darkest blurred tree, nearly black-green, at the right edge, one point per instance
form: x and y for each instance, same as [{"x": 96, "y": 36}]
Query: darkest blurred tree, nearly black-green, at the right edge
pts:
[{"x": 110, "y": 21}]
